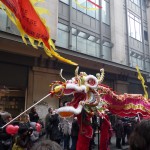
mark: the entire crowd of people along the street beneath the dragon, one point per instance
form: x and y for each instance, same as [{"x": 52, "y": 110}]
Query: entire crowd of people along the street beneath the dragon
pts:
[{"x": 60, "y": 133}]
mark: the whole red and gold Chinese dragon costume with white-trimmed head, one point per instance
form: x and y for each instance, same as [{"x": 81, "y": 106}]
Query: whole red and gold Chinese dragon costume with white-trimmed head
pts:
[{"x": 91, "y": 97}]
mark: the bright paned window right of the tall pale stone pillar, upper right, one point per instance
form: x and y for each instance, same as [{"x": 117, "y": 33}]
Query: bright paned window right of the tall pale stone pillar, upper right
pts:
[{"x": 134, "y": 25}]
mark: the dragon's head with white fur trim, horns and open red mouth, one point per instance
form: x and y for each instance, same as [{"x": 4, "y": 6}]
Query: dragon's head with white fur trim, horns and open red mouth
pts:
[{"x": 83, "y": 87}]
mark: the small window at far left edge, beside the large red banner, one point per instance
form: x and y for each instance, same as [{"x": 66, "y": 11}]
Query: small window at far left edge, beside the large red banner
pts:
[{"x": 3, "y": 22}]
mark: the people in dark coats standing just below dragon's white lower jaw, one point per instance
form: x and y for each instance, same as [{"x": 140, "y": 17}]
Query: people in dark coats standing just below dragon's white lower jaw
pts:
[{"x": 61, "y": 130}]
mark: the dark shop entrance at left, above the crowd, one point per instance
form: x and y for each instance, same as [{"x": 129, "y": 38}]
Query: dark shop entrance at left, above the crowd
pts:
[{"x": 13, "y": 85}]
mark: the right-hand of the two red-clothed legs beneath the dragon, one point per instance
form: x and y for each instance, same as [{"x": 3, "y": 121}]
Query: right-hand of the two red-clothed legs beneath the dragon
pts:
[{"x": 105, "y": 133}]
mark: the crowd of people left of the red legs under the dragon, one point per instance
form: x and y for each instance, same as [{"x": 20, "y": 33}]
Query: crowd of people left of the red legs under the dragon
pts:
[{"x": 56, "y": 131}]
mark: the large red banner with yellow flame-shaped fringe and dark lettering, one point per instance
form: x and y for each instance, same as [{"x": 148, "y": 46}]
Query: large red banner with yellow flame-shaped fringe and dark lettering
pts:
[{"x": 26, "y": 17}]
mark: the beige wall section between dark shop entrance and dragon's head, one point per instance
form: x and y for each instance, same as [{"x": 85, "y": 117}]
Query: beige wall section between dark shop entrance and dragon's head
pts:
[{"x": 38, "y": 86}]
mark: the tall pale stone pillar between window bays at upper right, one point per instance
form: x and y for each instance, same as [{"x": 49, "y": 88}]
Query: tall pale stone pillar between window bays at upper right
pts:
[{"x": 118, "y": 31}]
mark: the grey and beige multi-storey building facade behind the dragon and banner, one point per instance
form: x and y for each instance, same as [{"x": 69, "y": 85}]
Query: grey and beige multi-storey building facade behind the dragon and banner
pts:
[{"x": 115, "y": 38}]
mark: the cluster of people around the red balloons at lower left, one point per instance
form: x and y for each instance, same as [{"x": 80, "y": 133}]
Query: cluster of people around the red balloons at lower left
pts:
[{"x": 27, "y": 133}]
